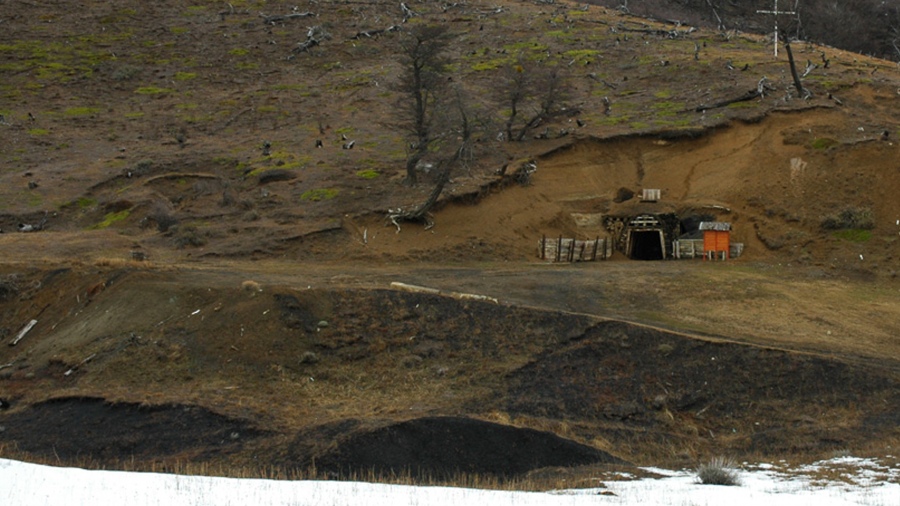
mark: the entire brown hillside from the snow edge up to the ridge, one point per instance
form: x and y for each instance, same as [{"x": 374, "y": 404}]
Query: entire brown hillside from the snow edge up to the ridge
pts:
[{"x": 202, "y": 265}]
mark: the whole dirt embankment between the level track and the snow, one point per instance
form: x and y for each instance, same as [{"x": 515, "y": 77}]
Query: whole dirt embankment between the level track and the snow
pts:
[{"x": 197, "y": 366}]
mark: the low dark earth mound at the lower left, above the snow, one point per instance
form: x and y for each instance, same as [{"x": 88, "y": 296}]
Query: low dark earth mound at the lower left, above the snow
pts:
[{"x": 85, "y": 427}]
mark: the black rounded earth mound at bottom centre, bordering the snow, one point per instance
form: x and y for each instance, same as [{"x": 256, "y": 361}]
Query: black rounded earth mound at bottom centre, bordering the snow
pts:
[{"x": 445, "y": 447}]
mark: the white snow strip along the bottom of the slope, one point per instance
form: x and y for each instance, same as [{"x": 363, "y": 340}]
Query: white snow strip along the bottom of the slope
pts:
[{"x": 853, "y": 481}]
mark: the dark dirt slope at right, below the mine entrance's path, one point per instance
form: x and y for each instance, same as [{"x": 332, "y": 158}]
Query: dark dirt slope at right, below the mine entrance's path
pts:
[{"x": 735, "y": 397}]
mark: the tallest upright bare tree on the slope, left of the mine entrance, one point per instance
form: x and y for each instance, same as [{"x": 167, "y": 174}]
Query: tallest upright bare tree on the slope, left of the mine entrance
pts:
[{"x": 423, "y": 85}]
